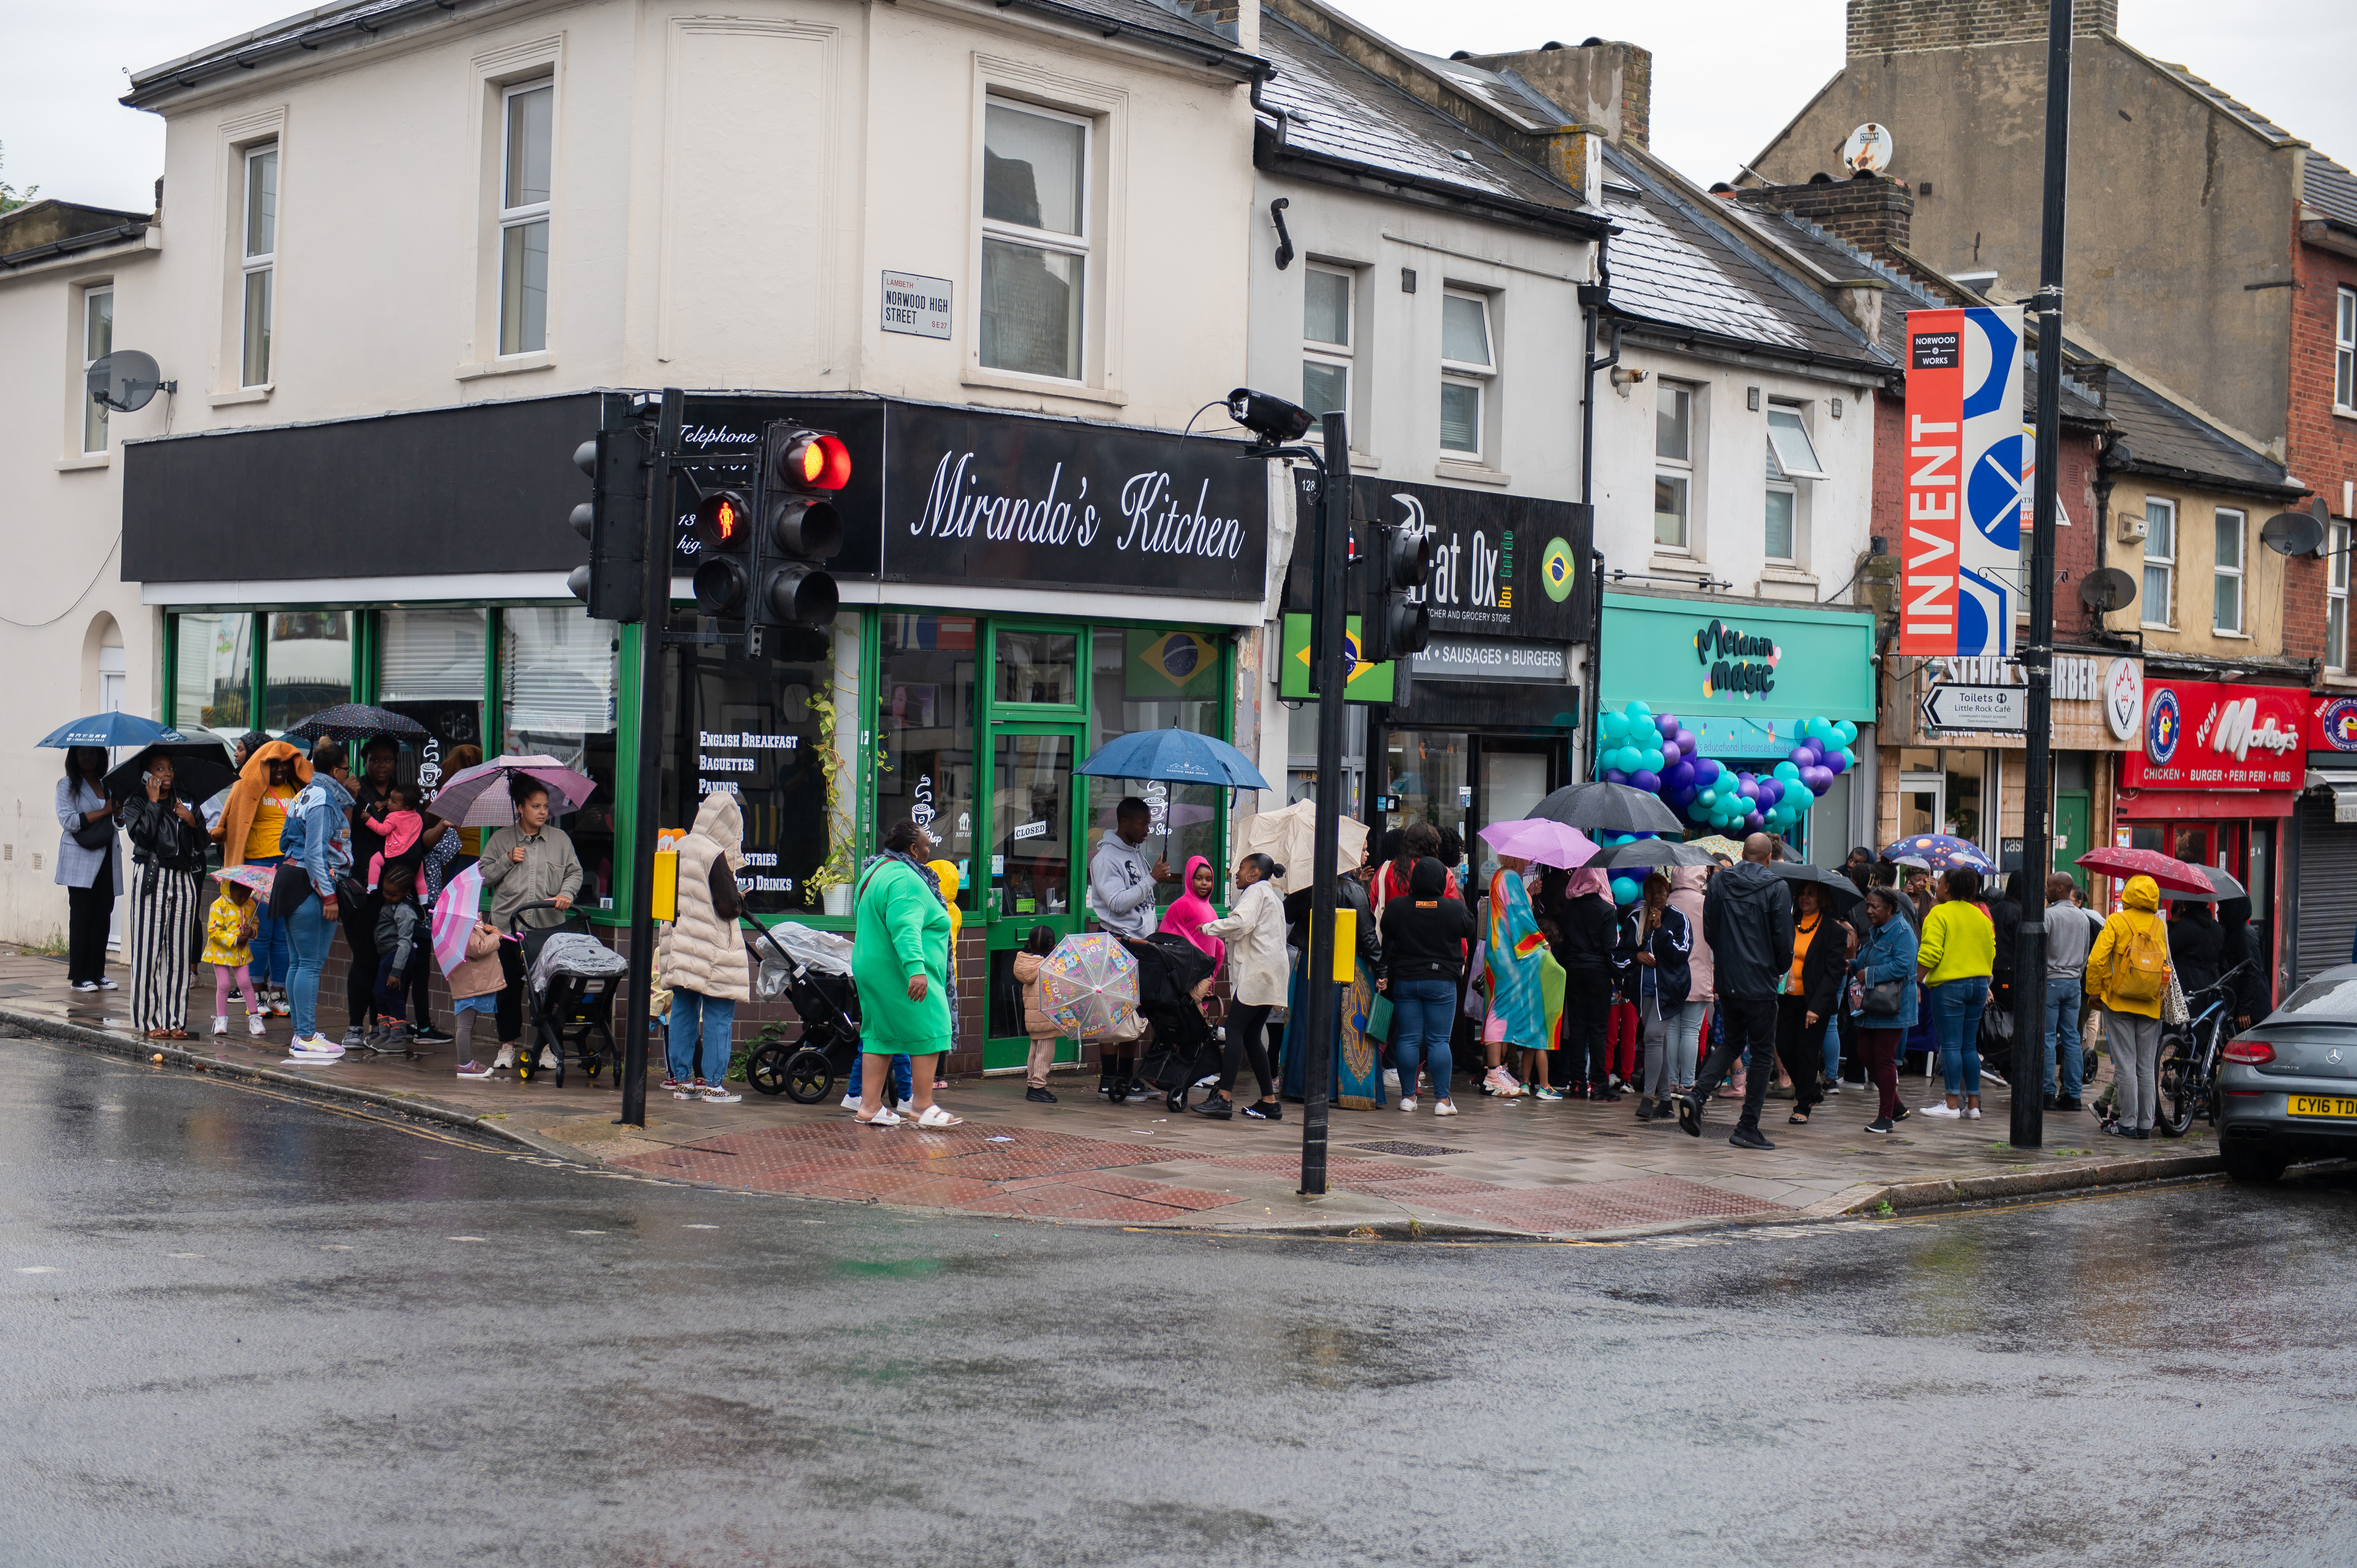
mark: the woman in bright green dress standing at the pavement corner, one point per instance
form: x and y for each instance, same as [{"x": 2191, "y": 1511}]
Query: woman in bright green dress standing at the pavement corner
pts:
[{"x": 902, "y": 970}]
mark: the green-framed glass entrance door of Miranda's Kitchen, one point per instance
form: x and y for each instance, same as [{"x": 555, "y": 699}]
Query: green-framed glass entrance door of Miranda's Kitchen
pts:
[{"x": 1036, "y": 867}]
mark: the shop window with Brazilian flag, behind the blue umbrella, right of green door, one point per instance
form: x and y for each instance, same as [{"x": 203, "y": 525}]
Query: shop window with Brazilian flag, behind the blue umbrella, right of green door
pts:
[{"x": 1154, "y": 678}]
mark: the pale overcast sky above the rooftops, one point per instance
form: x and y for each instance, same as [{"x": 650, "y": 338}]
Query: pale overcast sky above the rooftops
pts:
[{"x": 1727, "y": 74}]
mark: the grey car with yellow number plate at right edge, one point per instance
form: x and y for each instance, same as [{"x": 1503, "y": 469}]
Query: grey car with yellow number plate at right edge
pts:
[{"x": 2287, "y": 1088}]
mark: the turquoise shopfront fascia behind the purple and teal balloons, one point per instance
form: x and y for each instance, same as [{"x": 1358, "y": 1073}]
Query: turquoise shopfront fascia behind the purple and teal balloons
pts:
[{"x": 1745, "y": 678}]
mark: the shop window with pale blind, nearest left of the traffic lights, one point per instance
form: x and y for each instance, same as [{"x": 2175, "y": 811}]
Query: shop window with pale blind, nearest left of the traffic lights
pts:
[{"x": 557, "y": 699}]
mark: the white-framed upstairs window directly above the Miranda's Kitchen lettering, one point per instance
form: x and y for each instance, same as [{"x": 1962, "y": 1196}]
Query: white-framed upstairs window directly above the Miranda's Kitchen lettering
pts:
[{"x": 1036, "y": 242}]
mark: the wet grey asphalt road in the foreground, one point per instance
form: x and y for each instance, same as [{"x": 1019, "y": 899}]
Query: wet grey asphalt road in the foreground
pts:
[{"x": 258, "y": 1331}]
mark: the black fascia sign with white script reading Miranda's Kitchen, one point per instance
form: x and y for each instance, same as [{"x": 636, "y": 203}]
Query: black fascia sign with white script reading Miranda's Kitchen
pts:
[{"x": 1012, "y": 501}]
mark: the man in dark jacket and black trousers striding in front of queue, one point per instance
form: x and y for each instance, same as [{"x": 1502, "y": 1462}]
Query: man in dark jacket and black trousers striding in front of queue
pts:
[{"x": 1748, "y": 921}]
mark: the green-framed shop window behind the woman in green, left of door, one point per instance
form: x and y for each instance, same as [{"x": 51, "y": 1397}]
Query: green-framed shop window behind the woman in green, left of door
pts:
[{"x": 925, "y": 734}]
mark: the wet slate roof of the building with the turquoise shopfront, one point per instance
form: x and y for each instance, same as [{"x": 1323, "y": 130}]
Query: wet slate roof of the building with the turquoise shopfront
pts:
[{"x": 1682, "y": 268}]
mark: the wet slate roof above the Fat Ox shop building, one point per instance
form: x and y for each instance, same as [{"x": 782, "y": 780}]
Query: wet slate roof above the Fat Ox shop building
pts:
[{"x": 1342, "y": 112}]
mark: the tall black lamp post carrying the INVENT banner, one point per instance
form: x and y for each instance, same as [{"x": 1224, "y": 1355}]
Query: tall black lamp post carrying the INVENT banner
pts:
[{"x": 2028, "y": 1067}]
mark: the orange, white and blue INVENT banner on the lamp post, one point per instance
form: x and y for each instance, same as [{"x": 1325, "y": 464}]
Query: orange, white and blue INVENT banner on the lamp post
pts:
[{"x": 1967, "y": 463}]
